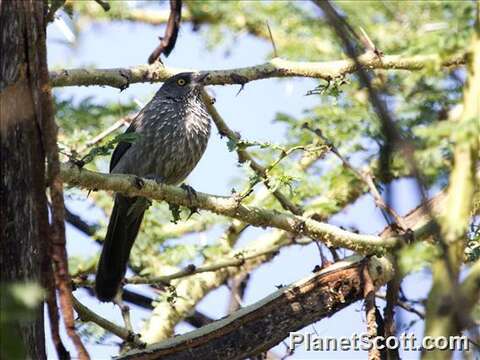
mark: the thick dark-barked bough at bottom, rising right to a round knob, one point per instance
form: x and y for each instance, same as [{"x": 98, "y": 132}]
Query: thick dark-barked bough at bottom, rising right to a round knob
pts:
[{"x": 289, "y": 309}]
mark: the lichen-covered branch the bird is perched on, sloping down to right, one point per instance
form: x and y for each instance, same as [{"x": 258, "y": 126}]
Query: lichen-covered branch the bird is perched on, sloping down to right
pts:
[{"x": 229, "y": 206}]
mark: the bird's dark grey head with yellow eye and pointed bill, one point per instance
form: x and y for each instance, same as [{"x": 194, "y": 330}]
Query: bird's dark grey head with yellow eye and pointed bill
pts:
[{"x": 183, "y": 84}]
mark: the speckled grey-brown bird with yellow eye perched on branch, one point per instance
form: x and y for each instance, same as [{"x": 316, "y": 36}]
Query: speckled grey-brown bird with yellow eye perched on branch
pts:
[{"x": 170, "y": 136}]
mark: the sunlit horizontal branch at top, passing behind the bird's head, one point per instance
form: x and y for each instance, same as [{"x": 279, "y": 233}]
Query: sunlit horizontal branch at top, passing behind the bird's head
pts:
[{"x": 275, "y": 68}]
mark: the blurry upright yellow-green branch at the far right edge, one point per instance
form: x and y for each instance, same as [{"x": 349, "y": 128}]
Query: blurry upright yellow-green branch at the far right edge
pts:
[{"x": 447, "y": 311}]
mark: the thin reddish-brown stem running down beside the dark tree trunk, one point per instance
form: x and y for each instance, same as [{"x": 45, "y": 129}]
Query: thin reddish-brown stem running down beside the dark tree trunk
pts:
[{"x": 49, "y": 132}]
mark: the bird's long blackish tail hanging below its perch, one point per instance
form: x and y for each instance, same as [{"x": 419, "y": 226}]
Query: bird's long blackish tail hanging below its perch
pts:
[{"x": 122, "y": 230}]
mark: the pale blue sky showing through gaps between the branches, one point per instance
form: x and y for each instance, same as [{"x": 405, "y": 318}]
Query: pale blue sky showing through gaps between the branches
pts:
[{"x": 250, "y": 113}]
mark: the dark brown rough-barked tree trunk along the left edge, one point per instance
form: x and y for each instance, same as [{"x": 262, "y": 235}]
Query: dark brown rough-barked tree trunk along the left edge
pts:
[{"x": 24, "y": 212}]
